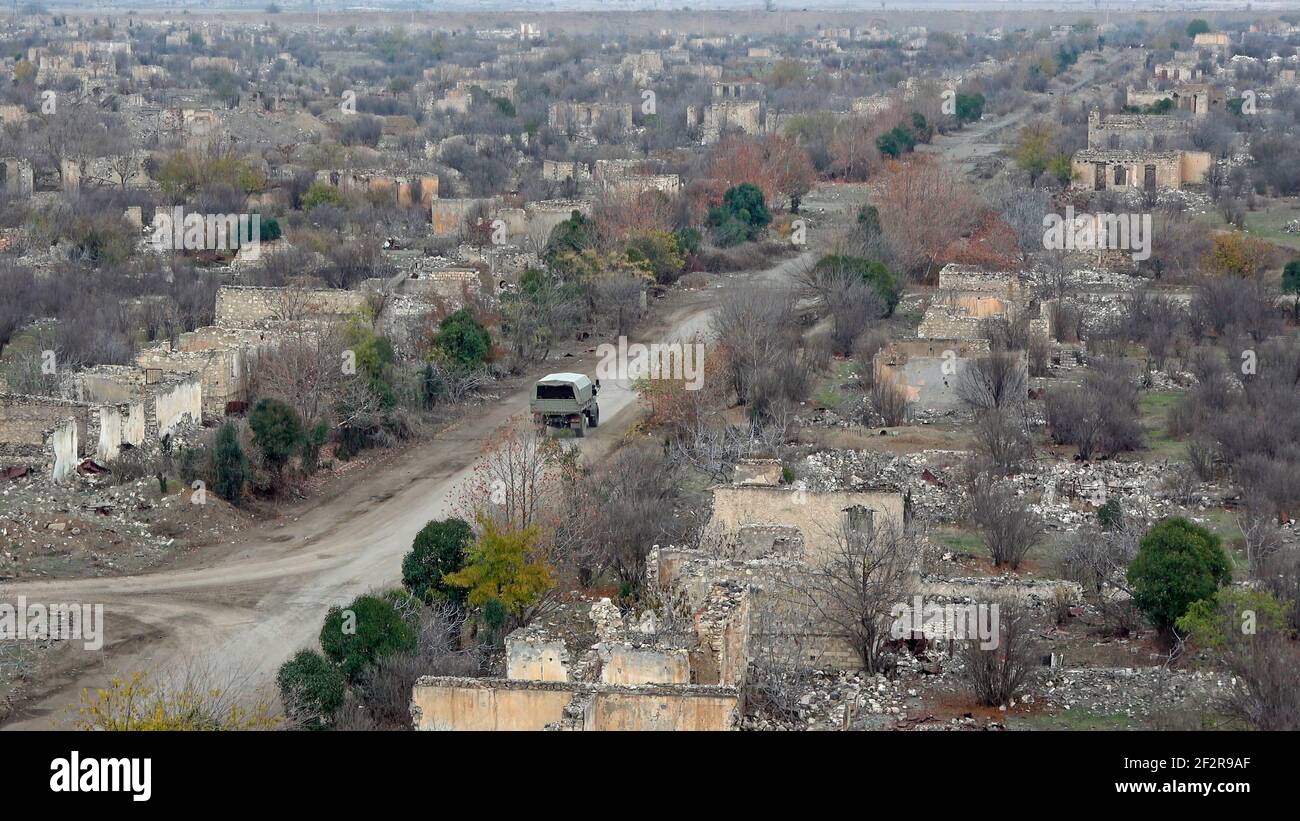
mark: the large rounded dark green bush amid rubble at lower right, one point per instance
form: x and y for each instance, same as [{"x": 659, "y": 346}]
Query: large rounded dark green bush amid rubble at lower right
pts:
[{"x": 1178, "y": 563}]
